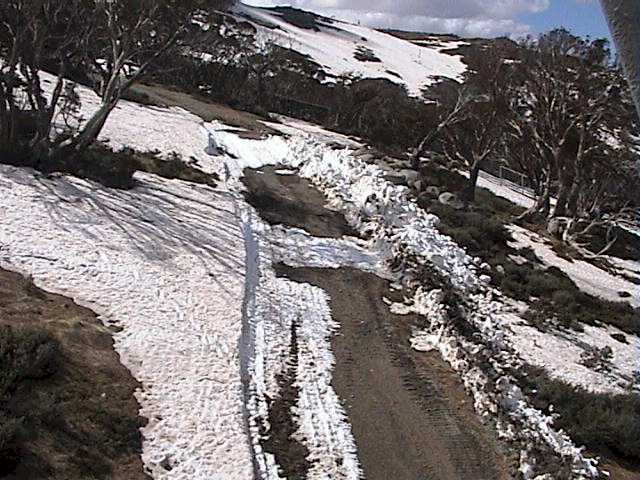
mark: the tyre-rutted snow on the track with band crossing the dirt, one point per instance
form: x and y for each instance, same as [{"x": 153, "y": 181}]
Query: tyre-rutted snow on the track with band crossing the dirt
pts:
[{"x": 276, "y": 310}]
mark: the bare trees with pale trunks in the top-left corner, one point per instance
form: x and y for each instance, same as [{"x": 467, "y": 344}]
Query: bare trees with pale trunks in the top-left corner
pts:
[{"x": 114, "y": 43}]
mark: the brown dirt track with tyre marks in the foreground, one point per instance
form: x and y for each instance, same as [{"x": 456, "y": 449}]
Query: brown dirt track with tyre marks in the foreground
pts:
[{"x": 410, "y": 414}]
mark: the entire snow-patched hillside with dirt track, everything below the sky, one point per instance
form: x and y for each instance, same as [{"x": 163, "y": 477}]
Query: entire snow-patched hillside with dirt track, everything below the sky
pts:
[{"x": 252, "y": 273}]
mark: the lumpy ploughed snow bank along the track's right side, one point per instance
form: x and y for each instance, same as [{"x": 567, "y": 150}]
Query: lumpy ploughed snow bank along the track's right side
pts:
[{"x": 402, "y": 231}]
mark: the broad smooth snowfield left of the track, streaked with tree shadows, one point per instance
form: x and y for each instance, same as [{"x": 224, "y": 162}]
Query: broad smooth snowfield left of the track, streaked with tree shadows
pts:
[{"x": 160, "y": 262}]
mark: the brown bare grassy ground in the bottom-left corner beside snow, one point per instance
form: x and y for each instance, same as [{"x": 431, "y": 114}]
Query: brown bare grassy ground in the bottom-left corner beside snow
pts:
[{"x": 80, "y": 419}]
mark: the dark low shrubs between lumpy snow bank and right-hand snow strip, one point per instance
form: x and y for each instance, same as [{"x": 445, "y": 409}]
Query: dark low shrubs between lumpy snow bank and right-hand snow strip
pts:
[{"x": 554, "y": 299}]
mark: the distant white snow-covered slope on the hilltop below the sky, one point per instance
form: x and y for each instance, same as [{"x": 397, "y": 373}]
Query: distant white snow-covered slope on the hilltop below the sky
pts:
[{"x": 334, "y": 45}]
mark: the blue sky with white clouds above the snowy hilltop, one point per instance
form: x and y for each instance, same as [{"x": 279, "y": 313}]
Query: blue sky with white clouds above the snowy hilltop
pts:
[{"x": 486, "y": 18}]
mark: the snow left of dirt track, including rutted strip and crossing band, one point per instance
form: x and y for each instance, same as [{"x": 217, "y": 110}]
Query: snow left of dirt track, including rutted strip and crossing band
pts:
[{"x": 177, "y": 268}]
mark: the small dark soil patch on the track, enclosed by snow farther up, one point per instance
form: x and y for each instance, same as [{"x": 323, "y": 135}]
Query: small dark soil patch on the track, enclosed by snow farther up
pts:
[{"x": 292, "y": 201}]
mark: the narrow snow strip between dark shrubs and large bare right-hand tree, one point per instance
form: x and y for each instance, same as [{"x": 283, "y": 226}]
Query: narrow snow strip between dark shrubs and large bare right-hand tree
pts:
[{"x": 588, "y": 278}]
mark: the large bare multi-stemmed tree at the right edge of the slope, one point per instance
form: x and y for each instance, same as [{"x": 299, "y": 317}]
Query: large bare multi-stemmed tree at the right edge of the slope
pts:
[{"x": 569, "y": 127}]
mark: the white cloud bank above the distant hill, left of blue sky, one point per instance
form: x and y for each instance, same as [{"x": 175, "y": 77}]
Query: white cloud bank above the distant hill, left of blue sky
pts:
[{"x": 485, "y": 18}]
